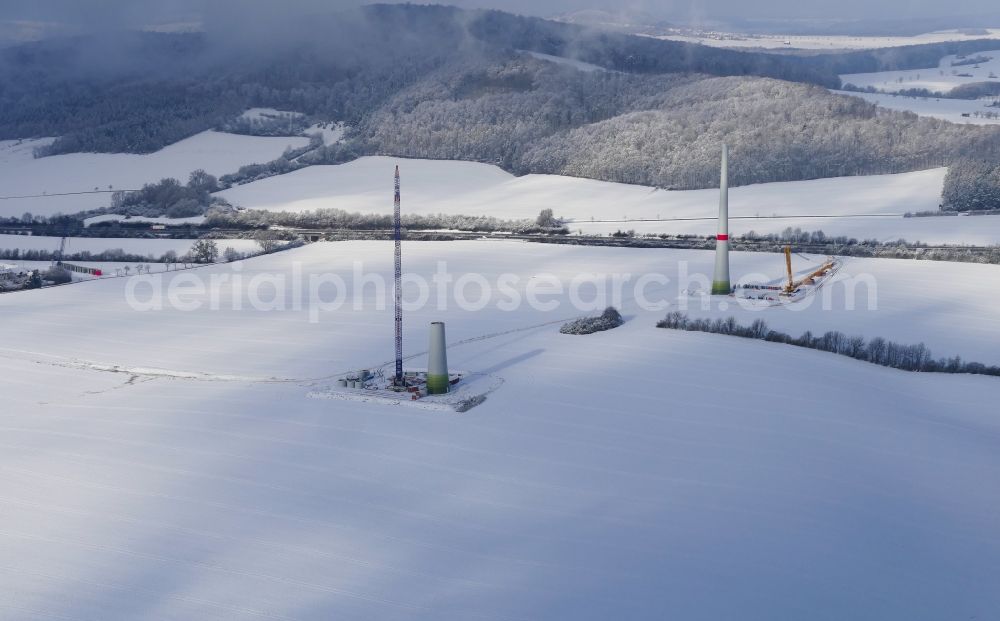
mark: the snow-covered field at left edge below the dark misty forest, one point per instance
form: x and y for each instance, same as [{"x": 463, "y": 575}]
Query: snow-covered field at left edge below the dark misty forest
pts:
[{"x": 214, "y": 152}]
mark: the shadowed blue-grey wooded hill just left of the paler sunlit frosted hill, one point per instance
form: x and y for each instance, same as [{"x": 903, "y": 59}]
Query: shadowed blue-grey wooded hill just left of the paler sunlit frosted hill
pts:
[{"x": 496, "y": 111}]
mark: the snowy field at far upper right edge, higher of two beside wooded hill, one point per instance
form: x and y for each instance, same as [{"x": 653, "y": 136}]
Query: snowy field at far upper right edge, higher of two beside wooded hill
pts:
[{"x": 940, "y": 79}]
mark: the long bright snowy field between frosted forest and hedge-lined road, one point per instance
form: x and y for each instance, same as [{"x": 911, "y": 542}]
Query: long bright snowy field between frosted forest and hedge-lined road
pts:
[{"x": 433, "y": 186}]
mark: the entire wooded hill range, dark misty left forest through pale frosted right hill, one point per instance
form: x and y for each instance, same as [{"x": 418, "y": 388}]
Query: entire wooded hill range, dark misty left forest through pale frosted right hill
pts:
[{"x": 437, "y": 82}]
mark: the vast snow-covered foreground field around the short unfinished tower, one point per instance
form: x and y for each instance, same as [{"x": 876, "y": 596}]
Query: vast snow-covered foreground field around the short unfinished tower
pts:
[{"x": 639, "y": 473}]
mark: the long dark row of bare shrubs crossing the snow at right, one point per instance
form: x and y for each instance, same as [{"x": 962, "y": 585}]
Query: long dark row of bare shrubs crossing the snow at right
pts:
[{"x": 877, "y": 351}]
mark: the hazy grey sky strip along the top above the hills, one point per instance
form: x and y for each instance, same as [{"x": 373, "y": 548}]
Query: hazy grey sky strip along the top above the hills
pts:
[{"x": 131, "y": 12}]
